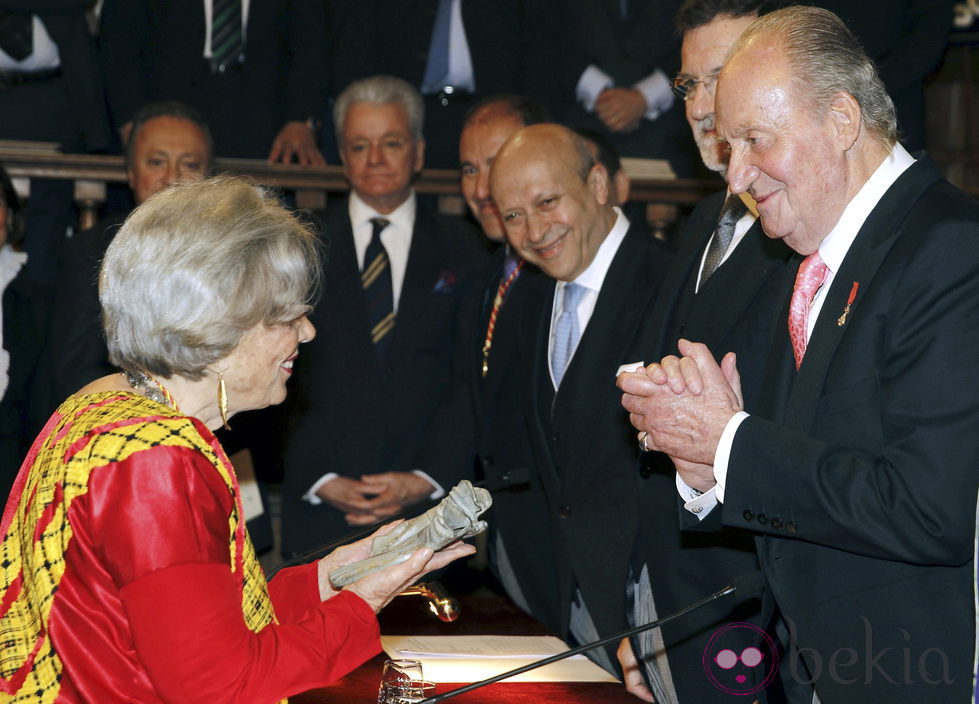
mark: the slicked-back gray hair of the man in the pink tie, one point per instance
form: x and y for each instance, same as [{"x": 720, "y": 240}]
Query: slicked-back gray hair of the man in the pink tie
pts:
[{"x": 826, "y": 58}]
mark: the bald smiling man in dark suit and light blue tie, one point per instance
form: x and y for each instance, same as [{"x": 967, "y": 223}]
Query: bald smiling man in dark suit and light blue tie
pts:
[{"x": 554, "y": 201}]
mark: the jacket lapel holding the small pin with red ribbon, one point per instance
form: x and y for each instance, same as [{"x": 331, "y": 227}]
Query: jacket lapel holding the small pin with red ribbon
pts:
[{"x": 862, "y": 260}]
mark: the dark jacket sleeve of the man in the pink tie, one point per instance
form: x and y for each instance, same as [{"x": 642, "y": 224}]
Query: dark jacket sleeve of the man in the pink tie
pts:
[{"x": 902, "y": 484}]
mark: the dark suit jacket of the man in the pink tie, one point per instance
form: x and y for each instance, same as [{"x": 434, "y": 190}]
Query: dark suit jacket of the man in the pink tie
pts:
[{"x": 859, "y": 471}]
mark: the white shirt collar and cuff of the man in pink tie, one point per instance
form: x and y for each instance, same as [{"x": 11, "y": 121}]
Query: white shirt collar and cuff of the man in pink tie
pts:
[{"x": 832, "y": 250}]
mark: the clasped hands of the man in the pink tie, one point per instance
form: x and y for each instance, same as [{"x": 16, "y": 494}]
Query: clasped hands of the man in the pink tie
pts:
[{"x": 681, "y": 406}]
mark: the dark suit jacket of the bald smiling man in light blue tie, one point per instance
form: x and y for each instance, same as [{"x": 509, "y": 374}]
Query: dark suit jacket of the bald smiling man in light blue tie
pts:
[{"x": 584, "y": 447}]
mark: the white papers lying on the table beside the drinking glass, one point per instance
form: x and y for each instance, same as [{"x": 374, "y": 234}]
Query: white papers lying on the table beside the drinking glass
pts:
[{"x": 474, "y": 658}]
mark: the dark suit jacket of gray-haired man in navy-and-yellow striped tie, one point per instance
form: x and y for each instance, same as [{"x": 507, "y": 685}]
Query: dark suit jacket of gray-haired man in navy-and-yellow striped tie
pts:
[{"x": 351, "y": 416}]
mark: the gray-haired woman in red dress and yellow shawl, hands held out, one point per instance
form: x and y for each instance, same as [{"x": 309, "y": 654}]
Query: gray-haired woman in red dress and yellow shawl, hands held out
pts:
[{"x": 126, "y": 573}]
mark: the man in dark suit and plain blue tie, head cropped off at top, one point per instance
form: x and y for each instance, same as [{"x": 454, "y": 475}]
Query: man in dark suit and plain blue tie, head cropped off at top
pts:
[{"x": 490, "y": 51}]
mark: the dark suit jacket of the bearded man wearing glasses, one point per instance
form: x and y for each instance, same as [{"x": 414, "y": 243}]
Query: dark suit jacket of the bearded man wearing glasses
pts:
[{"x": 733, "y": 311}]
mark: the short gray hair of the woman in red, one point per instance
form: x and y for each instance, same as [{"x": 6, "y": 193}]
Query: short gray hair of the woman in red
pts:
[{"x": 194, "y": 268}]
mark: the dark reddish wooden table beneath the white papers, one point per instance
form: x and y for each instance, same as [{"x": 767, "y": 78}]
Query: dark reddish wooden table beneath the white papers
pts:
[{"x": 480, "y": 615}]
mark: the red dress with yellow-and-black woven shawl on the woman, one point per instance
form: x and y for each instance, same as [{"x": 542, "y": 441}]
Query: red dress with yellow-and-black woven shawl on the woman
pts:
[{"x": 127, "y": 575}]
